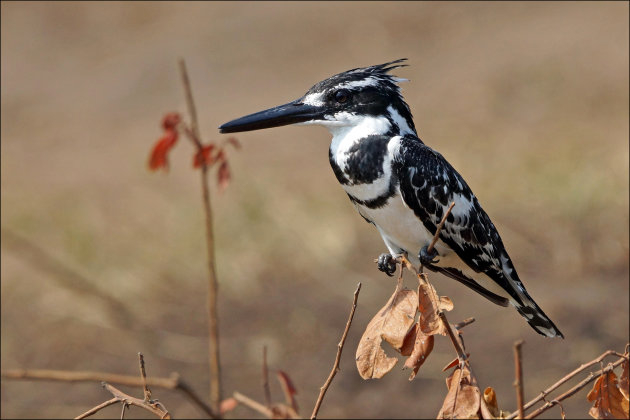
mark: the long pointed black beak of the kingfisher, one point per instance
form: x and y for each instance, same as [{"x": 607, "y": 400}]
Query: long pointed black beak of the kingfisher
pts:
[{"x": 291, "y": 113}]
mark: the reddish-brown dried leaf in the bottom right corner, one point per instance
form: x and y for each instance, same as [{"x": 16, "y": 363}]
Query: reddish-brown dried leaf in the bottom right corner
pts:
[{"x": 609, "y": 402}]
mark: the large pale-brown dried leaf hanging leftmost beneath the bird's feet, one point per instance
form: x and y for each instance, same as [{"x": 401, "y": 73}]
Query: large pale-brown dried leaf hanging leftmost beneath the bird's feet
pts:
[{"x": 391, "y": 324}]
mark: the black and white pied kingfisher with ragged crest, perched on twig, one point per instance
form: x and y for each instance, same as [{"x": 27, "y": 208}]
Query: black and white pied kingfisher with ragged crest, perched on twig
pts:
[{"x": 402, "y": 186}]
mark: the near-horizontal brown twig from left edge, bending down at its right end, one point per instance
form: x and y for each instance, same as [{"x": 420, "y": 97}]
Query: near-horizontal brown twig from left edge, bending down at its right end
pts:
[{"x": 174, "y": 383}]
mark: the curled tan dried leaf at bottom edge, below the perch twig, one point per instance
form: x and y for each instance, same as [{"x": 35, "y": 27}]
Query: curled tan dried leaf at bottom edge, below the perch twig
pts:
[{"x": 463, "y": 399}]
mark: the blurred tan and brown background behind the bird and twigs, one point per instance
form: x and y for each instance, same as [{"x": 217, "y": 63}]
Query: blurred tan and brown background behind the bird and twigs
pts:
[{"x": 528, "y": 101}]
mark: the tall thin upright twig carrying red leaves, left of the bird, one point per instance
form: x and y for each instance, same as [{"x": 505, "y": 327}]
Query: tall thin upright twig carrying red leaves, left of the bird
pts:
[{"x": 213, "y": 318}]
